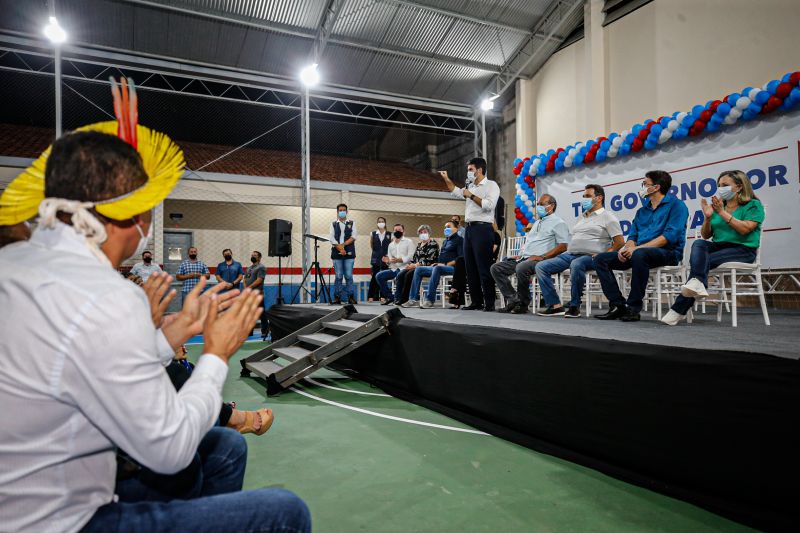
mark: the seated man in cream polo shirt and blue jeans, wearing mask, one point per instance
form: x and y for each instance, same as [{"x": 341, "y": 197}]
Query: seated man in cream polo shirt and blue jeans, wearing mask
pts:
[{"x": 596, "y": 231}]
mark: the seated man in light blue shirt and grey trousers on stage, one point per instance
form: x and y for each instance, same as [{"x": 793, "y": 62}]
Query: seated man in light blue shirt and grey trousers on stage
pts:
[{"x": 547, "y": 237}]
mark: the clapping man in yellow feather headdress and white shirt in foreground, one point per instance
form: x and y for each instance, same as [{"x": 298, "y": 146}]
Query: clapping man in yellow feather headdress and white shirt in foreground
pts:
[{"x": 85, "y": 350}]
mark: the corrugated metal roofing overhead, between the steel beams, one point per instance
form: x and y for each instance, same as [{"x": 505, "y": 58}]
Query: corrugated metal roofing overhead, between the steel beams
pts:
[{"x": 438, "y": 49}]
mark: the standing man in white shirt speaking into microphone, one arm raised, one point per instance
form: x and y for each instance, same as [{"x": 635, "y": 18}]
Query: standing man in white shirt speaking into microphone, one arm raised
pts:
[{"x": 480, "y": 194}]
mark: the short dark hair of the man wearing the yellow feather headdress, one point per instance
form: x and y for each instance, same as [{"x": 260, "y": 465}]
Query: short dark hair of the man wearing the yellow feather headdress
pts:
[{"x": 90, "y": 166}]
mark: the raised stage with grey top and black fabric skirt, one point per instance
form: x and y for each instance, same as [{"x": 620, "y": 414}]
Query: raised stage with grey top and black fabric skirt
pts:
[{"x": 676, "y": 410}]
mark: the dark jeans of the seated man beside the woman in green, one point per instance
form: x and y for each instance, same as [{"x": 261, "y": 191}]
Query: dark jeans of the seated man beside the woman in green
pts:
[{"x": 640, "y": 264}]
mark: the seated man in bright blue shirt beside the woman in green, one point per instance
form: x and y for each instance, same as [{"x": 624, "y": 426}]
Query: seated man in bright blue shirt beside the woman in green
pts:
[{"x": 657, "y": 238}]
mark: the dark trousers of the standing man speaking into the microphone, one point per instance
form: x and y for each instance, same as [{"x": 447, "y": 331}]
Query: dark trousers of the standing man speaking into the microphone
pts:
[{"x": 478, "y": 242}]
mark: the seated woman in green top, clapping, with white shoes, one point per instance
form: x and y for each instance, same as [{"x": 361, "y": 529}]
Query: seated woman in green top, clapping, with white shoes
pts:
[{"x": 731, "y": 231}]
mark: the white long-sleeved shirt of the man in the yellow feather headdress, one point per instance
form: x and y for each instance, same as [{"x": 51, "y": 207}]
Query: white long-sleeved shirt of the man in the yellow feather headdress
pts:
[{"x": 81, "y": 371}]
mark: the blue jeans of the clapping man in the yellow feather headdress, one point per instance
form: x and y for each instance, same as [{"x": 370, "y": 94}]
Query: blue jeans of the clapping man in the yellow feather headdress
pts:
[{"x": 206, "y": 496}]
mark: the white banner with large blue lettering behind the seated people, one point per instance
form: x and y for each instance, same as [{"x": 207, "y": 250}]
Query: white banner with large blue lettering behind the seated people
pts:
[{"x": 767, "y": 150}]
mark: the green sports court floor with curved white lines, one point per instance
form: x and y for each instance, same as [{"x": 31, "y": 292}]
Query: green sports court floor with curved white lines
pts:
[{"x": 370, "y": 462}]
